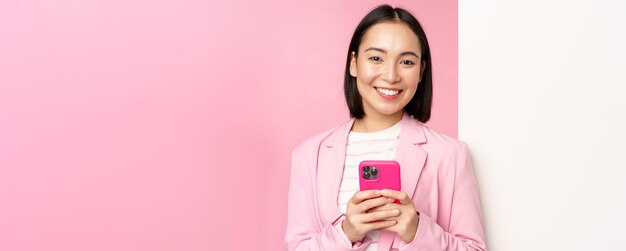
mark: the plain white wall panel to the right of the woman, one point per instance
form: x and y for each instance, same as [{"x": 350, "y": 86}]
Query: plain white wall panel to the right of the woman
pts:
[{"x": 542, "y": 105}]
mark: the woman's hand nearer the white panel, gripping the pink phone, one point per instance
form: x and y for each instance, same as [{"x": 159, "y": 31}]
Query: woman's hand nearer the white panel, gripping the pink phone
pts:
[{"x": 407, "y": 220}]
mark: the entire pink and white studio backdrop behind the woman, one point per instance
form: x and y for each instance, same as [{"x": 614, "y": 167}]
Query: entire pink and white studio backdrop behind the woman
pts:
[{"x": 169, "y": 125}]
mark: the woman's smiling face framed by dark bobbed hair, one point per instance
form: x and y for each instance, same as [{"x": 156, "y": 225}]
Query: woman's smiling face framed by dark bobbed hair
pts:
[{"x": 388, "y": 68}]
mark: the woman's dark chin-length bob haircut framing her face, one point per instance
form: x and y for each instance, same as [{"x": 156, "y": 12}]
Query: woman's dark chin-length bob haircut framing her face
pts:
[{"x": 420, "y": 104}]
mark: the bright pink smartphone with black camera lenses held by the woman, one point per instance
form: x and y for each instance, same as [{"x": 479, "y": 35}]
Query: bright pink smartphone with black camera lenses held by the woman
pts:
[{"x": 379, "y": 174}]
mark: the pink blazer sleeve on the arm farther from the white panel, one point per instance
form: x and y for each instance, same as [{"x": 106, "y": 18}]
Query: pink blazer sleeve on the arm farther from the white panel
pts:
[{"x": 303, "y": 232}]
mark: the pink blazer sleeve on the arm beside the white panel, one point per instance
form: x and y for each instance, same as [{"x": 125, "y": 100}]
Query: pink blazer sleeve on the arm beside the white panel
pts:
[{"x": 466, "y": 220}]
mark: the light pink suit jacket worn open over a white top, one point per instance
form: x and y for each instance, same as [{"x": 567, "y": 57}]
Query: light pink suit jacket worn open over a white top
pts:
[{"x": 436, "y": 172}]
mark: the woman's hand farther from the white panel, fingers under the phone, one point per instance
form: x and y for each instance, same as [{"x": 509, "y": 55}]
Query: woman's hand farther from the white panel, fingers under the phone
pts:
[{"x": 359, "y": 221}]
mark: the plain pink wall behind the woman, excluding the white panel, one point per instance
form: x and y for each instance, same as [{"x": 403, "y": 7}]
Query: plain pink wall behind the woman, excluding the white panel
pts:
[{"x": 168, "y": 125}]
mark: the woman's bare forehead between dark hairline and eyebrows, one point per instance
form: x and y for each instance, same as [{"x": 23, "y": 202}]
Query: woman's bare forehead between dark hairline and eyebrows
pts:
[{"x": 392, "y": 37}]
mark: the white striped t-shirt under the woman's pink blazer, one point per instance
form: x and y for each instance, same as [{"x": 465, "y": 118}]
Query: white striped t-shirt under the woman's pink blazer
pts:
[{"x": 361, "y": 146}]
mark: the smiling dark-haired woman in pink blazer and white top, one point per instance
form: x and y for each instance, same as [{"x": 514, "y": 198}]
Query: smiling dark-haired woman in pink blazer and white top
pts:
[{"x": 388, "y": 88}]
